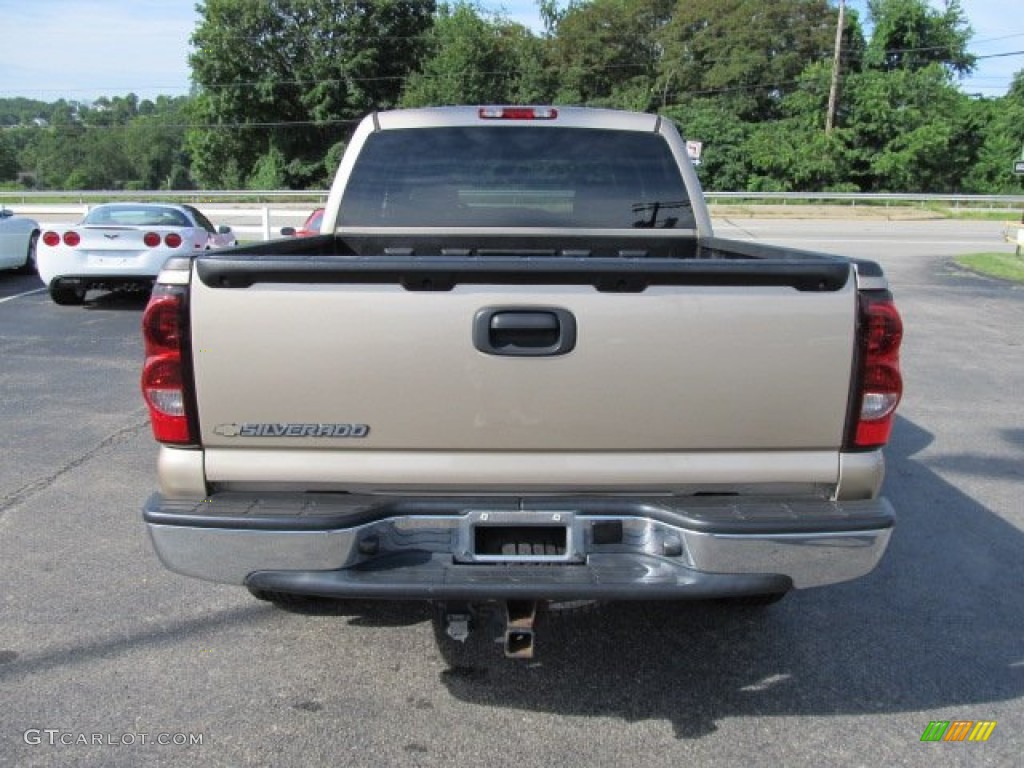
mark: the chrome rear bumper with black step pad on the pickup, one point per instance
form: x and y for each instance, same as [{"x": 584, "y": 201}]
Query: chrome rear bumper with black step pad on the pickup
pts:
[{"x": 599, "y": 547}]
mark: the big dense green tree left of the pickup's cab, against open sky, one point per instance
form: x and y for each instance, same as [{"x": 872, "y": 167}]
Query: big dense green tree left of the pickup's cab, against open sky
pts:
[{"x": 293, "y": 75}]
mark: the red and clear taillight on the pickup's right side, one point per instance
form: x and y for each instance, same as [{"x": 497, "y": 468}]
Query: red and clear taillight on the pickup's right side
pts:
[{"x": 880, "y": 386}]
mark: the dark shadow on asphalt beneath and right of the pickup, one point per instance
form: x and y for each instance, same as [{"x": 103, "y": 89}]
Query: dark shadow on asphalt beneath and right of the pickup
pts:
[{"x": 938, "y": 625}]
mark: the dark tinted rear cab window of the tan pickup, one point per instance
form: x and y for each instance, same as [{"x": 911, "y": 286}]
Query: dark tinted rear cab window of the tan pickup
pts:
[{"x": 523, "y": 177}]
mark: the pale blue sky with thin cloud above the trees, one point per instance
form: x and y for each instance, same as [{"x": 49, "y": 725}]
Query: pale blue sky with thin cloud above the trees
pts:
[{"x": 82, "y": 50}]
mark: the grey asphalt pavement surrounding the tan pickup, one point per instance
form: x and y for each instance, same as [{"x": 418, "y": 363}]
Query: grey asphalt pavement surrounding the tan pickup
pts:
[{"x": 109, "y": 660}]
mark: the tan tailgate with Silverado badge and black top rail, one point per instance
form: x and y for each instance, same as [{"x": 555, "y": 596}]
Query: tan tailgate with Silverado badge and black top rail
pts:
[{"x": 360, "y": 356}]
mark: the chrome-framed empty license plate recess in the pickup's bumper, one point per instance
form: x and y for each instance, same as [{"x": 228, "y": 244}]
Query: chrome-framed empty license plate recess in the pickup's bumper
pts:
[{"x": 520, "y": 538}]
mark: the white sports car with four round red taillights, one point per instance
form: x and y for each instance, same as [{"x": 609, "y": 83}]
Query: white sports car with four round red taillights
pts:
[{"x": 122, "y": 246}]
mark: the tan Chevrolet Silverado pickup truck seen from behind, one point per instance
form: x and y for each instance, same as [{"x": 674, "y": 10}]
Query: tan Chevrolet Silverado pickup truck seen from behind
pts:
[{"x": 517, "y": 368}]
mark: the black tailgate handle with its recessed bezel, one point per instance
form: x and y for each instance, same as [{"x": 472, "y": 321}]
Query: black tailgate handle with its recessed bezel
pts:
[{"x": 525, "y": 332}]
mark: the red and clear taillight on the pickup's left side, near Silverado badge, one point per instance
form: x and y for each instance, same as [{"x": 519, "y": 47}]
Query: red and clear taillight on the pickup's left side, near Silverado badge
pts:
[{"x": 163, "y": 375}]
